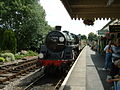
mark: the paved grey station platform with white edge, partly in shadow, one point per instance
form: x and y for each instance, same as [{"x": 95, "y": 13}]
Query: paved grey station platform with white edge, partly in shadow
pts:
[{"x": 87, "y": 73}]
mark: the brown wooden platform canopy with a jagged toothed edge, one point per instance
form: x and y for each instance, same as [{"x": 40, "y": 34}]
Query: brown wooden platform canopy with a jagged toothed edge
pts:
[{"x": 87, "y": 9}]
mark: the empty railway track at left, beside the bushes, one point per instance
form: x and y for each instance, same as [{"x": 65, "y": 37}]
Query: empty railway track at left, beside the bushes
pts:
[{"x": 11, "y": 71}]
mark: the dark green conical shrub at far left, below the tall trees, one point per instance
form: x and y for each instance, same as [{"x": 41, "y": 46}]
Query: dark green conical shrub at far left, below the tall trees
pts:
[{"x": 9, "y": 41}]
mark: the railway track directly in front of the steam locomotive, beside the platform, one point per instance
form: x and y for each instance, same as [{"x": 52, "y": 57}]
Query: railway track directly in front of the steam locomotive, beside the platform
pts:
[{"x": 47, "y": 82}]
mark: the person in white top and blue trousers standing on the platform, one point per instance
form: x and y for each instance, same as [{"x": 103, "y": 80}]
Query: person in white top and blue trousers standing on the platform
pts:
[{"x": 108, "y": 56}]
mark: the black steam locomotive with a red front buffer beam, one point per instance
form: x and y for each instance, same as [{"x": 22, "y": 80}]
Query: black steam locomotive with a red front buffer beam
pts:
[{"x": 60, "y": 49}]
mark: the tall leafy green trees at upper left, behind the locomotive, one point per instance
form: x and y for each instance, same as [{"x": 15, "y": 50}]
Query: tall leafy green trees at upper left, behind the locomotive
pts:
[{"x": 27, "y": 19}]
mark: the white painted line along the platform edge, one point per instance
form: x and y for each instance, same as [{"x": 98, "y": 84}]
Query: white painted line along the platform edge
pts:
[{"x": 67, "y": 77}]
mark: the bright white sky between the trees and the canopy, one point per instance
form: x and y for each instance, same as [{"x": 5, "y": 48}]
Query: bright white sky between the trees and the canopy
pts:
[{"x": 56, "y": 14}]
